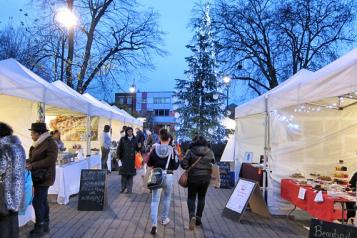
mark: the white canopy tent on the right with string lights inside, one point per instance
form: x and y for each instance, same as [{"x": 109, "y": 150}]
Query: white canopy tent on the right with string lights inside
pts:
[{"x": 304, "y": 125}]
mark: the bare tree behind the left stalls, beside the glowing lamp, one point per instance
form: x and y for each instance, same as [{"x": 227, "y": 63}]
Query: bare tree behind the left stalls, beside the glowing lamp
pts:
[{"x": 113, "y": 38}]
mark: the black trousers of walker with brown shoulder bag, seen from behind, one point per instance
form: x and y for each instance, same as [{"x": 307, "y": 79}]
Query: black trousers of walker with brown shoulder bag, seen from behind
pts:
[{"x": 194, "y": 190}]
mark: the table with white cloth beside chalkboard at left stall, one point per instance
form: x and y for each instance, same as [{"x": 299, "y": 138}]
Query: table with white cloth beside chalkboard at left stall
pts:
[{"x": 67, "y": 180}]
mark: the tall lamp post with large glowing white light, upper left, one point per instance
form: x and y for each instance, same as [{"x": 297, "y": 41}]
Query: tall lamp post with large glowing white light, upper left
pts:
[{"x": 68, "y": 20}]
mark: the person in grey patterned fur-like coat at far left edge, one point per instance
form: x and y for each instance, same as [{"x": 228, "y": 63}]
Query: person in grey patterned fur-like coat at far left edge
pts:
[{"x": 12, "y": 176}]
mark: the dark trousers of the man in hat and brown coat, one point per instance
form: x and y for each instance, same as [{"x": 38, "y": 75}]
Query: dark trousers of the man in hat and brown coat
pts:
[{"x": 40, "y": 204}]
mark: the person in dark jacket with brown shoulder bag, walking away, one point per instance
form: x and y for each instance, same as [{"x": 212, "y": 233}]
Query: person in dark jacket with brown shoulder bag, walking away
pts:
[{"x": 199, "y": 177}]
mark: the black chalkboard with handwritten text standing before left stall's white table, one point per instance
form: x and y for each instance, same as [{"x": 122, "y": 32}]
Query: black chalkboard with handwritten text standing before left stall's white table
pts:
[{"x": 92, "y": 191}]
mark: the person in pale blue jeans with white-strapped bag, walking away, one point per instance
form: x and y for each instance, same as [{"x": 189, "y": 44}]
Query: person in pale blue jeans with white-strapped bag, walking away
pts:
[{"x": 162, "y": 156}]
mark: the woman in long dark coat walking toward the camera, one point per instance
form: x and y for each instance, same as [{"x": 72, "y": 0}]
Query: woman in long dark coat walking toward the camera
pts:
[{"x": 126, "y": 150}]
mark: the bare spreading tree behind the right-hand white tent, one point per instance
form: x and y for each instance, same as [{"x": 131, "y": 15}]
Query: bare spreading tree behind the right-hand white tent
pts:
[{"x": 263, "y": 42}]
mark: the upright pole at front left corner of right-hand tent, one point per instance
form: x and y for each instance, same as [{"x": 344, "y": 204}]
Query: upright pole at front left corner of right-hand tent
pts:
[{"x": 266, "y": 146}]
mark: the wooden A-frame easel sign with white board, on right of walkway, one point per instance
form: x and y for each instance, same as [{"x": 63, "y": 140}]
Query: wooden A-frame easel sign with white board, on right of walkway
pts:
[{"x": 246, "y": 192}]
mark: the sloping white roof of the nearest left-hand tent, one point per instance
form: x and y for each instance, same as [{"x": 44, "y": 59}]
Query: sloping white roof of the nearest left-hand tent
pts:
[{"x": 16, "y": 80}]
